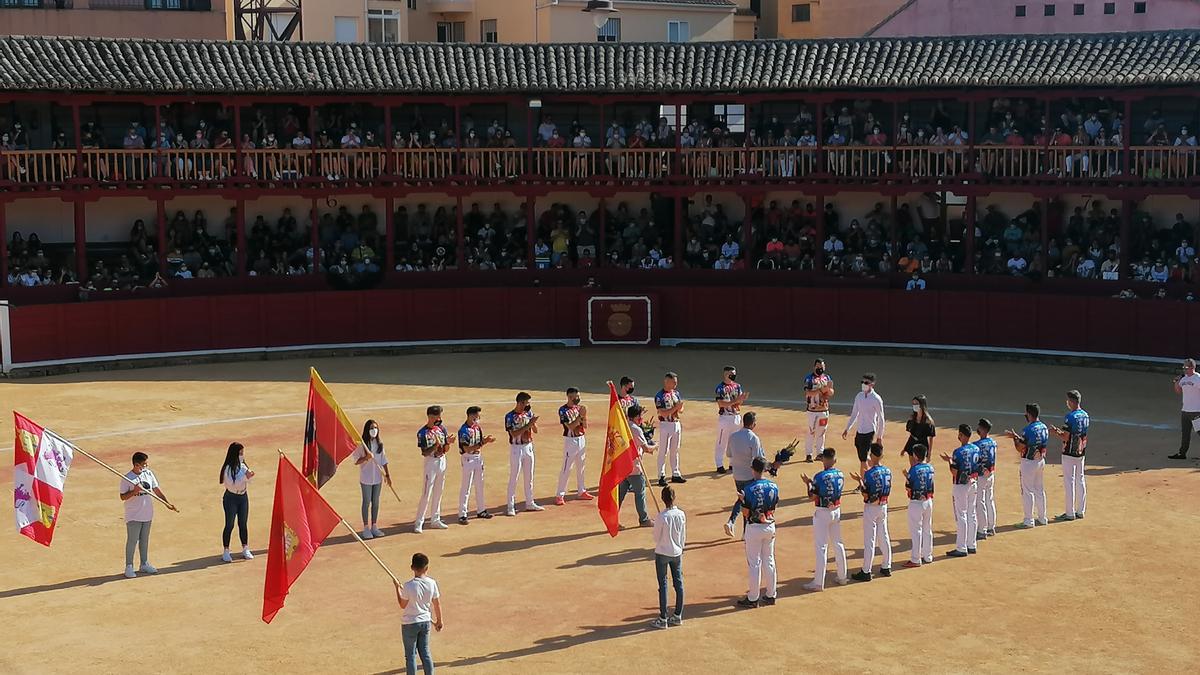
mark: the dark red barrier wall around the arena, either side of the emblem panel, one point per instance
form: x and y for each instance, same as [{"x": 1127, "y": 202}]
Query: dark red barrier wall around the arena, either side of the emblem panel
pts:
[{"x": 1151, "y": 328}]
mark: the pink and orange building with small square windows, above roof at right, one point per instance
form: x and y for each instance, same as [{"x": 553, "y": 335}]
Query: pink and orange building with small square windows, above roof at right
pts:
[{"x": 908, "y": 19}]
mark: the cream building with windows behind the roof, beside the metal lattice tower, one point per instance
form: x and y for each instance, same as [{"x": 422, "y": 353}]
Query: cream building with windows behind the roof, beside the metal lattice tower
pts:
[{"x": 518, "y": 21}]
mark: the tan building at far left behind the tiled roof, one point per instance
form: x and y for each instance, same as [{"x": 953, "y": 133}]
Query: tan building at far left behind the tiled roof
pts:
[{"x": 184, "y": 20}]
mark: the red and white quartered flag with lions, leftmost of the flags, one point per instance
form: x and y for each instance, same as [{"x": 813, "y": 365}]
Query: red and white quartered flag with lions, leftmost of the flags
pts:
[{"x": 40, "y": 474}]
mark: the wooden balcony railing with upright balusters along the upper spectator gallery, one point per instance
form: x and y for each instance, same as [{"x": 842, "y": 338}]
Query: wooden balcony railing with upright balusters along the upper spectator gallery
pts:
[{"x": 998, "y": 164}]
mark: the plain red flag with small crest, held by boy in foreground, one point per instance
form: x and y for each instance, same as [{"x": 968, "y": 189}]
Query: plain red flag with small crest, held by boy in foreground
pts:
[{"x": 301, "y": 522}]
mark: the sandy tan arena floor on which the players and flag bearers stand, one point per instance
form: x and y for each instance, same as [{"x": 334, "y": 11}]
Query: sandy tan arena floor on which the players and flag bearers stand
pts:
[{"x": 550, "y": 593}]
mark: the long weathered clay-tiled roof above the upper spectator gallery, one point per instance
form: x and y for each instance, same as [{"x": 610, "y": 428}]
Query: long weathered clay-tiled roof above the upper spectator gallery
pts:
[{"x": 74, "y": 64}]
